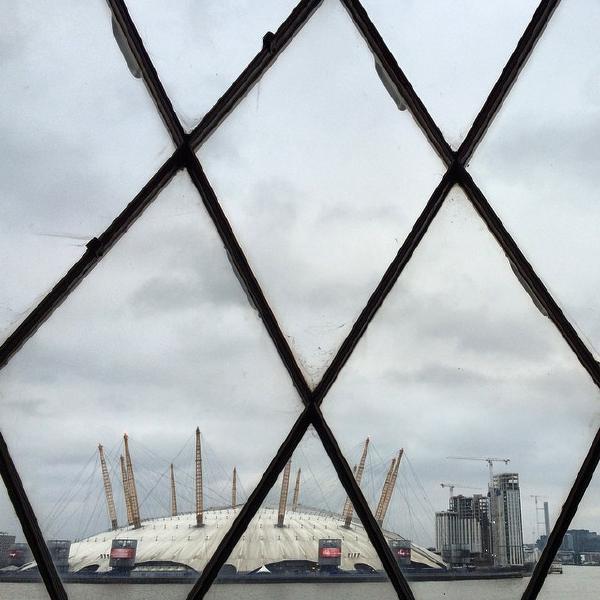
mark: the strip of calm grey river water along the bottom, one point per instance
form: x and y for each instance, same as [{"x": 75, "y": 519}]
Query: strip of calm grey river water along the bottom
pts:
[{"x": 576, "y": 583}]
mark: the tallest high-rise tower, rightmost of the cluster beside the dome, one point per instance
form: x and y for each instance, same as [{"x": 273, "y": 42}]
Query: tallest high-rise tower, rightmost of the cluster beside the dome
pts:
[{"x": 506, "y": 525}]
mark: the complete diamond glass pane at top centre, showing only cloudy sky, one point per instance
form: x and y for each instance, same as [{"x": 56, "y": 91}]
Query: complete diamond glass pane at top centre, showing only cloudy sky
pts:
[{"x": 322, "y": 177}]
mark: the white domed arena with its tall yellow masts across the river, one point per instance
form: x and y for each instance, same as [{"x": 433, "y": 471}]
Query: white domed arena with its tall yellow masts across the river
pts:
[{"x": 288, "y": 536}]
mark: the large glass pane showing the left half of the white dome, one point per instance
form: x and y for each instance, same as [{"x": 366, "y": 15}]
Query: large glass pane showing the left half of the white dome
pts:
[{"x": 158, "y": 339}]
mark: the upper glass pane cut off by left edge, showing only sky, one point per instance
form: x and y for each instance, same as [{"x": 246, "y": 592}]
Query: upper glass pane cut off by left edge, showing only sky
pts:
[{"x": 80, "y": 138}]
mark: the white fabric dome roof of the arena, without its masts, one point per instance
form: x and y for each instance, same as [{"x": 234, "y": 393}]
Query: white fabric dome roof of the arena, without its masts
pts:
[{"x": 177, "y": 539}]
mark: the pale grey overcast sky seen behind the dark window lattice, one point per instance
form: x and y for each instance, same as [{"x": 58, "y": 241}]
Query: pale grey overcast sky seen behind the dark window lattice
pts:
[{"x": 321, "y": 177}]
